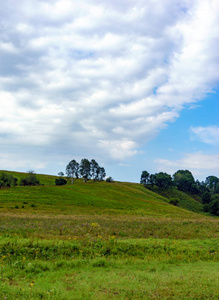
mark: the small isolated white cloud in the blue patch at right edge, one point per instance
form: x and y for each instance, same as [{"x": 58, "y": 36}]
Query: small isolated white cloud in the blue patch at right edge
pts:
[{"x": 208, "y": 135}]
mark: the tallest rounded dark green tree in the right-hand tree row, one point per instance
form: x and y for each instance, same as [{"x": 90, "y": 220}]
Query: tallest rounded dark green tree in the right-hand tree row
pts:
[{"x": 184, "y": 180}]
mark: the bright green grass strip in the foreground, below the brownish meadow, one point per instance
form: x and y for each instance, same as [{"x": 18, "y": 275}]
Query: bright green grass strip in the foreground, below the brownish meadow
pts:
[{"x": 109, "y": 269}]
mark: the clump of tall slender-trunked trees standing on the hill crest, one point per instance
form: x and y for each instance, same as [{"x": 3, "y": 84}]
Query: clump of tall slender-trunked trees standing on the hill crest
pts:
[{"x": 86, "y": 170}]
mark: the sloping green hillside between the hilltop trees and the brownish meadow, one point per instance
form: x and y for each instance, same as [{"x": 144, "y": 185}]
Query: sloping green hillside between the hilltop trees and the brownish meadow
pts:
[{"x": 94, "y": 198}]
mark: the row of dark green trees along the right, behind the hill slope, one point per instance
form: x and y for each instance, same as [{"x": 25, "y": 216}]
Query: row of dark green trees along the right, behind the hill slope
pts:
[{"x": 184, "y": 181}]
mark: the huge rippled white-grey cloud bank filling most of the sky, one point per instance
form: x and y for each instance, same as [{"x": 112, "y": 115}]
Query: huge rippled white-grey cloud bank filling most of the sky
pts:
[{"x": 102, "y": 77}]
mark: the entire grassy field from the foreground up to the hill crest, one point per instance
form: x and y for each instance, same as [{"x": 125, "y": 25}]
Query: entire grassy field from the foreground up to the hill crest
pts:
[{"x": 104, "y": 241}]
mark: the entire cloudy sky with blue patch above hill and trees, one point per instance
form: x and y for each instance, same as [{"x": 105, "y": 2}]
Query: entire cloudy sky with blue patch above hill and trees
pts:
[{"x": 133, "y": 84}]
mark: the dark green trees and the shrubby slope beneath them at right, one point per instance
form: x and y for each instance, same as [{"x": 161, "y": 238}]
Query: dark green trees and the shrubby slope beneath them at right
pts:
[{"x": 183, "y": 181}]
